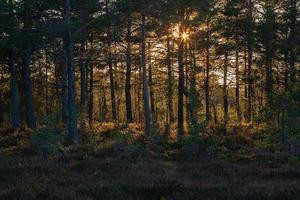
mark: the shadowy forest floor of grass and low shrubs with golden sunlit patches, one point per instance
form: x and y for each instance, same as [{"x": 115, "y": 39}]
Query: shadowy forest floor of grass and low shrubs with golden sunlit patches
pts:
[{"x": 118, "y": 163}]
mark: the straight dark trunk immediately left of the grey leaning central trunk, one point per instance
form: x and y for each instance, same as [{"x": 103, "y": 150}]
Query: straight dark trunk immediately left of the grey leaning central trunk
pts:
[{"x": 128, "y": 73}]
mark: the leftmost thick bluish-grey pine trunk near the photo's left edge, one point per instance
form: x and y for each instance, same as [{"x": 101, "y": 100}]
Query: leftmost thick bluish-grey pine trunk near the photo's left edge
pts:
[{"x": 15, "y": 99}]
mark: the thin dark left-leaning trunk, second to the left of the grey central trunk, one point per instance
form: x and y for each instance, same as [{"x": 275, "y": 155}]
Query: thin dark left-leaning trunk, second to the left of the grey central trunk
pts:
[{"x": 112, "y": 84}]
